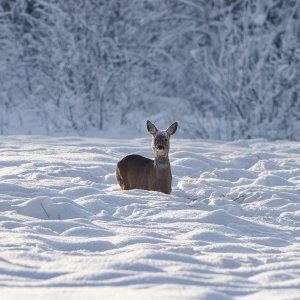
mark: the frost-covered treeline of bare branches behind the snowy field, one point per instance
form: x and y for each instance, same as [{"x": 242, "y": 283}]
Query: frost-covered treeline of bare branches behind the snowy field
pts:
[{"x": 224, "y": 69}]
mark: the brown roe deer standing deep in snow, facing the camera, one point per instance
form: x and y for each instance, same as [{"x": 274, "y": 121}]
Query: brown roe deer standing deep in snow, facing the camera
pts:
[{"x": 138, "y": 172}]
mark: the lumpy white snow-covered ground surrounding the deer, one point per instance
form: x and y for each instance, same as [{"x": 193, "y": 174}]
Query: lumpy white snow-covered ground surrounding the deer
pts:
[{"x": 229, "y": 230}]
